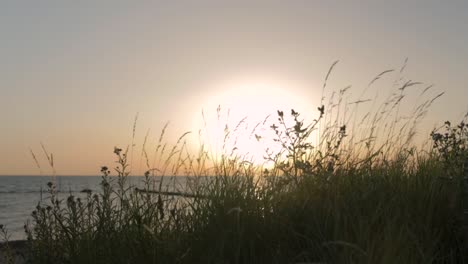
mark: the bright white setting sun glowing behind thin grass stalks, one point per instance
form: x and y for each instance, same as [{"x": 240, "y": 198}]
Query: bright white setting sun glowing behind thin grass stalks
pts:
[{"x": 236, "y": 119}]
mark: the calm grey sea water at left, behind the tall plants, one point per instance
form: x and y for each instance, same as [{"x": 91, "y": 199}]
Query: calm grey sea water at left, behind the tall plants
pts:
[{"x": 19, "y": 195}]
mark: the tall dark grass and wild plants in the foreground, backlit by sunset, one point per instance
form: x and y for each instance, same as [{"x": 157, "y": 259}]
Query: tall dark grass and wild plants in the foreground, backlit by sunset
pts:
[{"x": 360, "y": 194}]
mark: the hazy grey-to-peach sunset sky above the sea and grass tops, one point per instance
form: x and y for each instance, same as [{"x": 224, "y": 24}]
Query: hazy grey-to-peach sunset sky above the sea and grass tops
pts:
[{"x": 74, "y": 74}]
